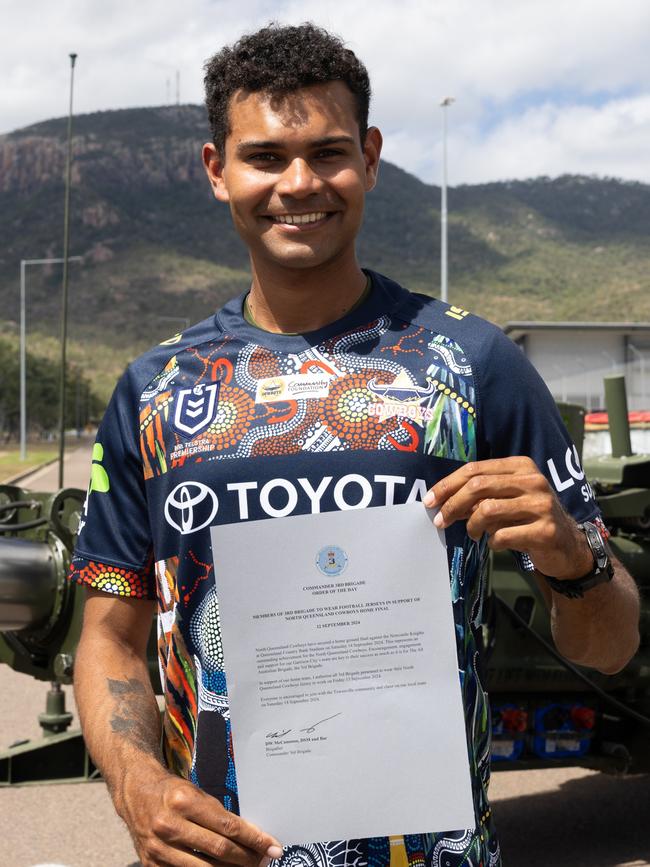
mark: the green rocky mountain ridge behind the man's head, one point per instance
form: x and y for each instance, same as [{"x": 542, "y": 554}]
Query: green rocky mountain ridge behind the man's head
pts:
[{"x": 158, "y": 250}]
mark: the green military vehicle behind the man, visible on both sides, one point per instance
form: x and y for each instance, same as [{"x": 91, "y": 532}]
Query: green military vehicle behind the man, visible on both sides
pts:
[{"x": 545, "y": 711}]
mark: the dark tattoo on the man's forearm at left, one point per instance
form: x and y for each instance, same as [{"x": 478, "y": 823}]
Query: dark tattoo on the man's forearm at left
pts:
[{"x": 133, "y": 717}]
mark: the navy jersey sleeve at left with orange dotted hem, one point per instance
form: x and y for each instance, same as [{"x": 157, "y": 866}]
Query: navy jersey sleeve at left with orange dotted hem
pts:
[{"x": 114, "y": 551}]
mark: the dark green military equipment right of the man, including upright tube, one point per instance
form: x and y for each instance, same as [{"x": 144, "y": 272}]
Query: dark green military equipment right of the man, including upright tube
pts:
[{"x": 543, "y": 708}]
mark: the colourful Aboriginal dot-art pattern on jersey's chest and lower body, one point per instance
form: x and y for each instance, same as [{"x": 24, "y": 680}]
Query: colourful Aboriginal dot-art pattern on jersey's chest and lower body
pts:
[{"x": 375, "y": 389}]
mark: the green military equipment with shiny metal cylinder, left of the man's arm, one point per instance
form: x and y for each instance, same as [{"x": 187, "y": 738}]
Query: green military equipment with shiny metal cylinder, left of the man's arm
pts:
[{"x": 40, "y": 626}]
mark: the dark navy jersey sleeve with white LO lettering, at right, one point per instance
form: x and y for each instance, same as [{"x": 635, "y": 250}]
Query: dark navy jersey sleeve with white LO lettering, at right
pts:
[{"x": 520, "y": 417}]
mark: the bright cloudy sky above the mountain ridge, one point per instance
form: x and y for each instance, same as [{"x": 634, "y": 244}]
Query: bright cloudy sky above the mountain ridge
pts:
[{"x": 541, "y": 87}]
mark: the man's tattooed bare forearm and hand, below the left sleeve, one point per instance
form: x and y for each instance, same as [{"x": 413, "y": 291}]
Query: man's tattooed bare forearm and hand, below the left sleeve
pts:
[{"x": 172, "y": 822}]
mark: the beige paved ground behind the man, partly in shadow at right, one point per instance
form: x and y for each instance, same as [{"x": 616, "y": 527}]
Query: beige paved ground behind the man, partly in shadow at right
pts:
[{"x": 550, "y": 818}]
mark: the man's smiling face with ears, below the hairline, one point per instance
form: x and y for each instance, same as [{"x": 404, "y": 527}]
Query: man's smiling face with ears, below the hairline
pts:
[{"x": 295, "y": 175}]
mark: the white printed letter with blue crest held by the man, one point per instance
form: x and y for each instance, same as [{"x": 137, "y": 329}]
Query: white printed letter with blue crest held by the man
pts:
[{"x": 342, "y": 673}]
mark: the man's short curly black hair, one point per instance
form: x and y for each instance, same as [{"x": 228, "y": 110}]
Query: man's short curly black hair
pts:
[{"x": 280, "y": 59}]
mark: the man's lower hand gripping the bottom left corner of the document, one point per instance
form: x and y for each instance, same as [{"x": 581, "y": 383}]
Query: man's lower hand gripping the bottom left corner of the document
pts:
[{"x": 174, "y": 823}]
